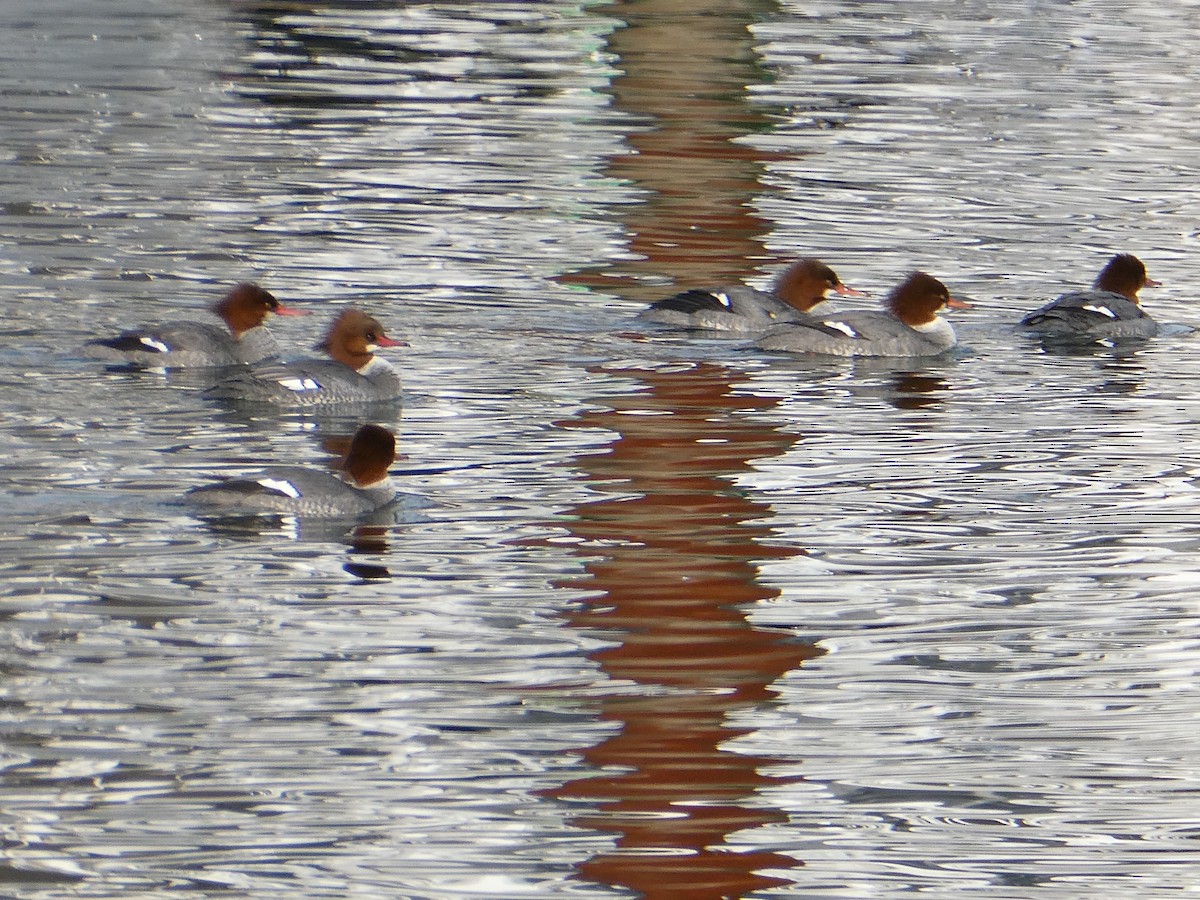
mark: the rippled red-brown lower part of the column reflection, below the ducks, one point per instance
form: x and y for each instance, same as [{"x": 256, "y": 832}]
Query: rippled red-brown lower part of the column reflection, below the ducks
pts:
[{"x": 674, "y": 556}]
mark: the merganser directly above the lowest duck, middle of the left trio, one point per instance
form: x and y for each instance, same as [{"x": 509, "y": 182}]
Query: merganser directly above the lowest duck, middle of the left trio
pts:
[{"x": 352, "y": 375}]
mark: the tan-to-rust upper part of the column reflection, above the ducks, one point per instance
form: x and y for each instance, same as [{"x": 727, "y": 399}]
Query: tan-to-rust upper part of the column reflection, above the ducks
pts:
[{"x": 686, "y": 67}]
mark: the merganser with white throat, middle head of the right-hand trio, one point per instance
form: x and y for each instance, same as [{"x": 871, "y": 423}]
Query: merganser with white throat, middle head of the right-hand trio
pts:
[{"x": 911, "y": 326}]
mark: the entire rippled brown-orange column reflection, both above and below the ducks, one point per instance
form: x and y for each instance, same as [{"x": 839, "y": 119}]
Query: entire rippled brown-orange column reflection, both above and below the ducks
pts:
[{"x": 673, "y": 544}]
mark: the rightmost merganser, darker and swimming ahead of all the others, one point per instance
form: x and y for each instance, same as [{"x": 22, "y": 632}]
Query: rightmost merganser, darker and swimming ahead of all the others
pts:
[{"x": 1111, "y": 310}]
